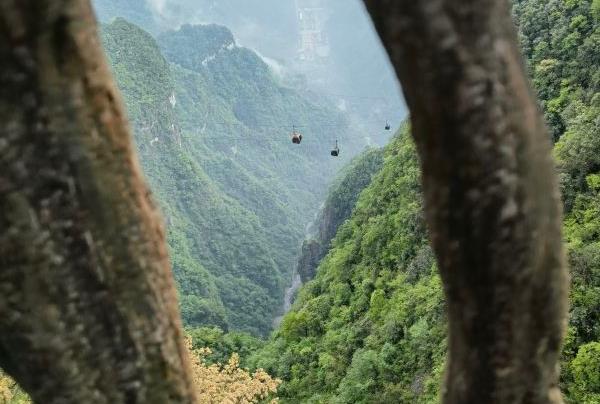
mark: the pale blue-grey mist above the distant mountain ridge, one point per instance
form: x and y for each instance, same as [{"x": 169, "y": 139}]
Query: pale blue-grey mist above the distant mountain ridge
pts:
[{"x": 351, "y": 67}]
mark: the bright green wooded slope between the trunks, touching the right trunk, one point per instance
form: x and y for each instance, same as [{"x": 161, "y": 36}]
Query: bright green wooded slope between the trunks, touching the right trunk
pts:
[{"x": 370, "y": 327}]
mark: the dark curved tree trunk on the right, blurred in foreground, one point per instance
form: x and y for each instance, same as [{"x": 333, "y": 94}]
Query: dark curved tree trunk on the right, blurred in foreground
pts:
[{"x": 491, "y": 196}]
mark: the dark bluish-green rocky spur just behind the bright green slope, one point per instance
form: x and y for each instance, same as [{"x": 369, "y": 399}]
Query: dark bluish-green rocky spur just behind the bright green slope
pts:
[{"x": 342, "y": 197}]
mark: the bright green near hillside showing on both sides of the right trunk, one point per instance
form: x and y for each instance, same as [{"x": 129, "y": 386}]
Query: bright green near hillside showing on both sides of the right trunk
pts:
[{"x": 370, "y": 328}]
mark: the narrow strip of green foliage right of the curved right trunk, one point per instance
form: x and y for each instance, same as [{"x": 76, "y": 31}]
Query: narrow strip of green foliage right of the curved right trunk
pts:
[{"x": 576, "y": 105}]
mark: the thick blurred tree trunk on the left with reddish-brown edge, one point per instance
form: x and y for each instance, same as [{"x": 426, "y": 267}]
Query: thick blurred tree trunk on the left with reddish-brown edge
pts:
[{"x": 88, "y": 310}]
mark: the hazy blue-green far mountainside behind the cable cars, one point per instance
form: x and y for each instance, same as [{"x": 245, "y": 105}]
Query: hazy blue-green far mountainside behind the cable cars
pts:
[{"x": 212, "y": 129}]
